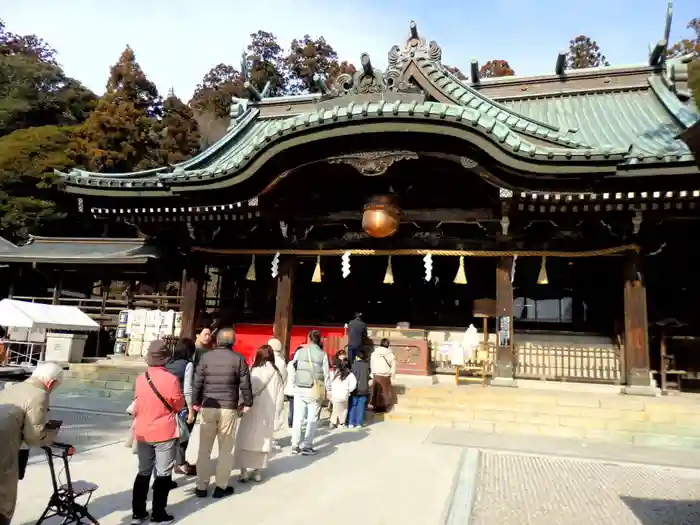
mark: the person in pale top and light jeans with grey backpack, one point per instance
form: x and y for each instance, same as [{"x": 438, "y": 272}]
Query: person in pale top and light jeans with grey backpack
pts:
[{"x": 310, "y": 379}]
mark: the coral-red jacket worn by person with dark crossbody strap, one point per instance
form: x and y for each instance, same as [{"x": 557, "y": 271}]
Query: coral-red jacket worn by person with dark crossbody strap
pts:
[{"x": 153, "y": 421}]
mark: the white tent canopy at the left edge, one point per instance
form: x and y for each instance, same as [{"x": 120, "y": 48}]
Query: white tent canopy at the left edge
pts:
[{"x": 35, "y": 316}]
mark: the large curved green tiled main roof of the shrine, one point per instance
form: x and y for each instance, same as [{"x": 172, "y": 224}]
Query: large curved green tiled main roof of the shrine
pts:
[{"x": 574, "y": 133}]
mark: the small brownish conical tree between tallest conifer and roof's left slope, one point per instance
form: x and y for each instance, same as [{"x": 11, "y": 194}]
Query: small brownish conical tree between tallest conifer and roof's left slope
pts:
[{"x": 179, "y": 132}]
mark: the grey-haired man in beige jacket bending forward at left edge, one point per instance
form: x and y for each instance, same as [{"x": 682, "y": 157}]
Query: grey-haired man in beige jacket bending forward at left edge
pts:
[{"x": 24, "y": 419}]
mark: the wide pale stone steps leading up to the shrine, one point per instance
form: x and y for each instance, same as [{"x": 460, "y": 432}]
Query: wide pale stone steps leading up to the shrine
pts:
[{"x": 668, "y": 422}]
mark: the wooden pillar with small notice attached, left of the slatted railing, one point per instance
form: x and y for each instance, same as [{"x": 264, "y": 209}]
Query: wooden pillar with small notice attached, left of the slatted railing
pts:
[{"x": 504, "y": 370}]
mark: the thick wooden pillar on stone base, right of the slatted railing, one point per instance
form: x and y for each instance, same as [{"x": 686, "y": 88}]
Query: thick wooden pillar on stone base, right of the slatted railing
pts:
[{"x": 636, "y": 330}]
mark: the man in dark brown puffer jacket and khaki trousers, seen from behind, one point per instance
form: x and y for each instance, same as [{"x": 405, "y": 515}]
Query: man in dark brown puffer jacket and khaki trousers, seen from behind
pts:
[{"x": 221, "y": 374}]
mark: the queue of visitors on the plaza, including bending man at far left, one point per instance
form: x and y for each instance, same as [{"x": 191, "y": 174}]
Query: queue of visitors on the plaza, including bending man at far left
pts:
[{"x": 239, "y": 407}]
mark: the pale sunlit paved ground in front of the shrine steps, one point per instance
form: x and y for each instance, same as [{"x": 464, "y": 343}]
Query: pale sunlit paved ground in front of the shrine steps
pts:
[{"x": 391, "y": 474}]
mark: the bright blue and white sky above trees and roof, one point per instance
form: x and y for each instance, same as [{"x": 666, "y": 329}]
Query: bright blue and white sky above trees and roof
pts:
[{"x": 178, "y": 41}]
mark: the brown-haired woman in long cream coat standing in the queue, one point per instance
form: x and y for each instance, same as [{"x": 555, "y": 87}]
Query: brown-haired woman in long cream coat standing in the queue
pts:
[{"x": 257, "y": 426}]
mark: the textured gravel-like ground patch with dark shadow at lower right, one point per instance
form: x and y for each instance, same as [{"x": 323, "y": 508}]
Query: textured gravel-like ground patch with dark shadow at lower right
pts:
[{"x": 523, "y": 490}]
